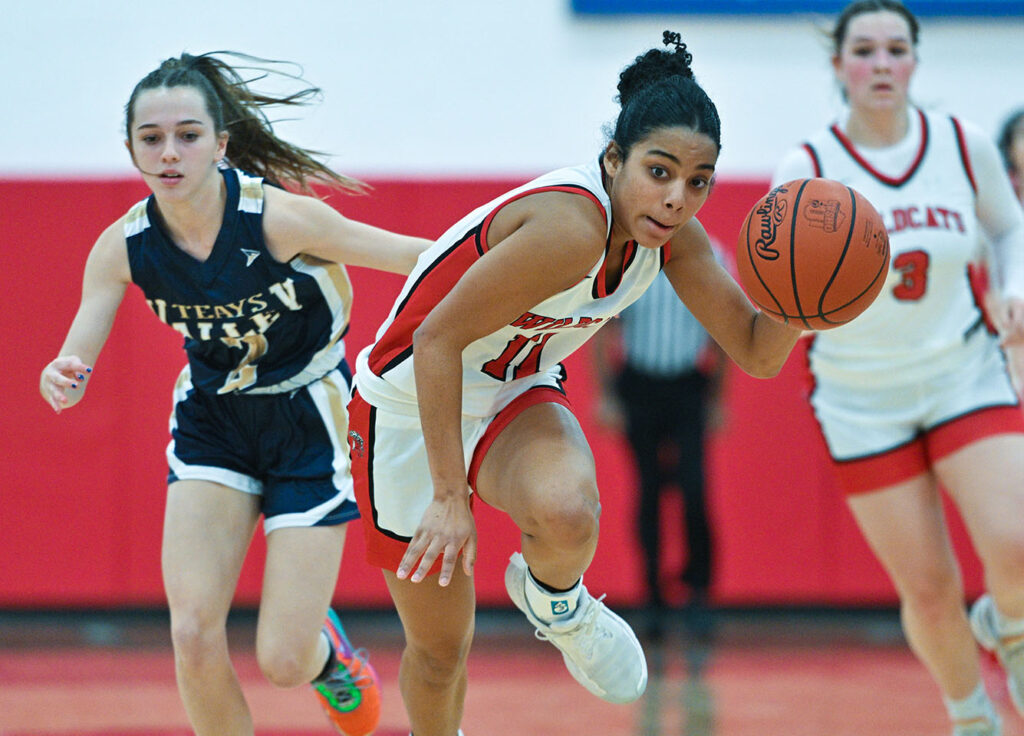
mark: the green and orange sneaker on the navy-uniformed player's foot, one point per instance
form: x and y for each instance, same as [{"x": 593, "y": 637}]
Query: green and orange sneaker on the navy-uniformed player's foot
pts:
[{"x": 351, "y": 694}]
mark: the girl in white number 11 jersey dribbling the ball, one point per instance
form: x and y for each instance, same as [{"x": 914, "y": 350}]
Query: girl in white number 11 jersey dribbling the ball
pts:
[{"x": 461, "y": 394}]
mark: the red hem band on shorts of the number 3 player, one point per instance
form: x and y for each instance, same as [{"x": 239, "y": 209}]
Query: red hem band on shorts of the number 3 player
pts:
[{"x": 904, "y": 463}]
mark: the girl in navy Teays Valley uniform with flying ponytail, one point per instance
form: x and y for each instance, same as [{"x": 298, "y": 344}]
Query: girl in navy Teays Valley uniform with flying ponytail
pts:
[{"x": 250, "y": 275}]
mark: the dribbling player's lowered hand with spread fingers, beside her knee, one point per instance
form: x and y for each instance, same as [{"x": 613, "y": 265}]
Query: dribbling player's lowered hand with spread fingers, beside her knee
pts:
[{"x": 447, "y": 529}]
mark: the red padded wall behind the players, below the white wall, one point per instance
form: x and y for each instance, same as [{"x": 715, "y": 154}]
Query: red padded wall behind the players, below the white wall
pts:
[{"x": 81, "y": 505}]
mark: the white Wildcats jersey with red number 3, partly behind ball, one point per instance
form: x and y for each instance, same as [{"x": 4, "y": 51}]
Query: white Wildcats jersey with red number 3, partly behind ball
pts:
[{"x": 924, "y": 189}]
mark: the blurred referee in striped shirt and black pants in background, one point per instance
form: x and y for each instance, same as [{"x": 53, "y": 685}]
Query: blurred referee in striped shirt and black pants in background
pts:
[{"x": 661, "y": 392}]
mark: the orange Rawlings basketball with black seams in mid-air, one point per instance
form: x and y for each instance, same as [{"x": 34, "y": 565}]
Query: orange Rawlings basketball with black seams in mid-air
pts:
[{"x": 814, "y": 253}]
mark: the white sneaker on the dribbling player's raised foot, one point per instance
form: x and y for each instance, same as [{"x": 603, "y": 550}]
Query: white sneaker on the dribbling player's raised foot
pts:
[{"x": 600, "y": 648}]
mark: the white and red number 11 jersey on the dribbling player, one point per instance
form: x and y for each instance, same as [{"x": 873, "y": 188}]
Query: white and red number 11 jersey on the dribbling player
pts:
[{"x": 500, "y": 366}]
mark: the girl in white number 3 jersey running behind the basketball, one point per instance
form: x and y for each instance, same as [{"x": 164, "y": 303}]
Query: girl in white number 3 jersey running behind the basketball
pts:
[{"x": 915, "y": 395}]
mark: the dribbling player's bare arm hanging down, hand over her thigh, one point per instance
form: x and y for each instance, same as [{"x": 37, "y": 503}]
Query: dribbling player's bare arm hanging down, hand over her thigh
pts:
[{"x": 525, "y": 267}]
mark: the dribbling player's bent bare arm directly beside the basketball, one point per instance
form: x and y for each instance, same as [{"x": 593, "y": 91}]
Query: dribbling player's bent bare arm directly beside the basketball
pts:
[{"x": 755, "y": 342}]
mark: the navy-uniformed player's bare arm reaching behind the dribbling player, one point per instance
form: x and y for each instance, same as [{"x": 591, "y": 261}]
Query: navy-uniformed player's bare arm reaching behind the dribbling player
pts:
[{"x": 296, "y": 224}]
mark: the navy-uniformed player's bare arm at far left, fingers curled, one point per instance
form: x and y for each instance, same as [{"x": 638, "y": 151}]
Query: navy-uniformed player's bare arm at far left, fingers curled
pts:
[{"x": 107, "y": 276}]
